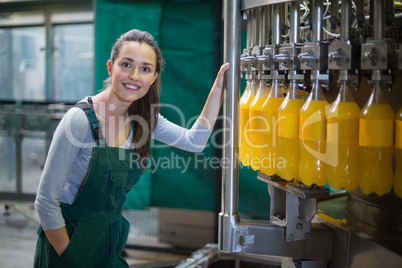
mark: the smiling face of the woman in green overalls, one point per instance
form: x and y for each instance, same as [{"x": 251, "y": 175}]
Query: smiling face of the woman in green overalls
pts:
[{"x": 133, "y": 71}]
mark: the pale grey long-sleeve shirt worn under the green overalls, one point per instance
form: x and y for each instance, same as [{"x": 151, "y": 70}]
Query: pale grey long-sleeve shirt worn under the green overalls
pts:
[{"x": 70, "y": 154}]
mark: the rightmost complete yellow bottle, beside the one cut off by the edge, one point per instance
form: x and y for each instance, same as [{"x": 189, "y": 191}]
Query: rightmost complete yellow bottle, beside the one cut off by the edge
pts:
[{"x": 376, "y": 135}]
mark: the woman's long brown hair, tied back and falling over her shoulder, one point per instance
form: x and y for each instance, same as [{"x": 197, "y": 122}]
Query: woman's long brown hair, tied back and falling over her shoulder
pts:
[{"x": 148, "y": 106}]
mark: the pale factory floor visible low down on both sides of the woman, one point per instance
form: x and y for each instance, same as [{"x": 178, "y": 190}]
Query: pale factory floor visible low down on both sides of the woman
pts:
[{"x": 19, "y": 223}]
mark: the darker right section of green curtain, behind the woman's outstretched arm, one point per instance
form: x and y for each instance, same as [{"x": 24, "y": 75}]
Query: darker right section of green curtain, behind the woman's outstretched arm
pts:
[{"x": 188, "y": 45}]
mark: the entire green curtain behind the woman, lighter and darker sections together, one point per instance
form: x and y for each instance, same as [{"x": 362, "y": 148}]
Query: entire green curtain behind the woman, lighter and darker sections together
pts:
[{"x": 186, "y": 34}]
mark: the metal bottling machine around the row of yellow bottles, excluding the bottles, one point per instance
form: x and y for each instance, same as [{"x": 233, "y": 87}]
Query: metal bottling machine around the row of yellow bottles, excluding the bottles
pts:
[{"x": 327, "y": 43}]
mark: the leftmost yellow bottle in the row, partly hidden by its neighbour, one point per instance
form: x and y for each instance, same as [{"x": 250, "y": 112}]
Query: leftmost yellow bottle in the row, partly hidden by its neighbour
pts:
[{"x": 244, "y": 154}]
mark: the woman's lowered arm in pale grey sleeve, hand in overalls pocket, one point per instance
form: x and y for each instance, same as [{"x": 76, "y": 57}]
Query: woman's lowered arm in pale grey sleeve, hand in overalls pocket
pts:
[{"x": 68, "y": 138}]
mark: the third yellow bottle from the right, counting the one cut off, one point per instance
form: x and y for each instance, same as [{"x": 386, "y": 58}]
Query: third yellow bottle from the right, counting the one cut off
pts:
[{"x": 343, "y": 140}]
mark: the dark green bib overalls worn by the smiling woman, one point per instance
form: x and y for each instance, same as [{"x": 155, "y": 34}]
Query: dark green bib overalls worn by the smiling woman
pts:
[{"x": 94, "y": 222}]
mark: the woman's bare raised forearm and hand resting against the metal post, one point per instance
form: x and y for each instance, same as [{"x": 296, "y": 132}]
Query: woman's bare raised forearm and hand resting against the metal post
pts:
[{"x": 213, "y": 104}]
